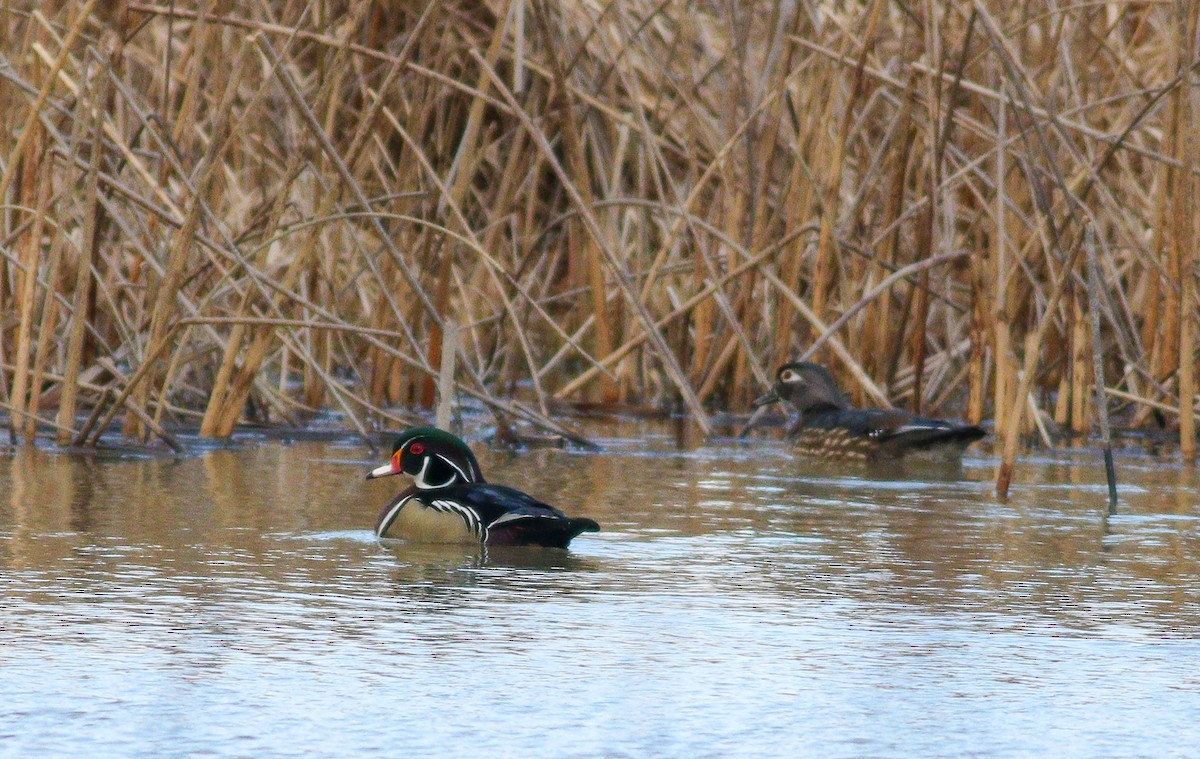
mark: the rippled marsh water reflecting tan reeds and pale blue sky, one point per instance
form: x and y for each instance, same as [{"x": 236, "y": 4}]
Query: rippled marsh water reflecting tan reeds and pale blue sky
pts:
[{"x": 233, "y": 602}]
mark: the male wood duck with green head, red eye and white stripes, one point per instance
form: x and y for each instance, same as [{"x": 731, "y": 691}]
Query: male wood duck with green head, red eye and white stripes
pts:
[{"x": 451, "y": 503}]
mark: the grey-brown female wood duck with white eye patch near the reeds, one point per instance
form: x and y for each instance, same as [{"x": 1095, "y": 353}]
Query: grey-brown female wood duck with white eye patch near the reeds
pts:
[{"x": 831, "y": 428}]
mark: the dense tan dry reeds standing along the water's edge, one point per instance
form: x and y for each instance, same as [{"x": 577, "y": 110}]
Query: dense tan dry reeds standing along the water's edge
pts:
[{"x": 281, "y": 204}]
